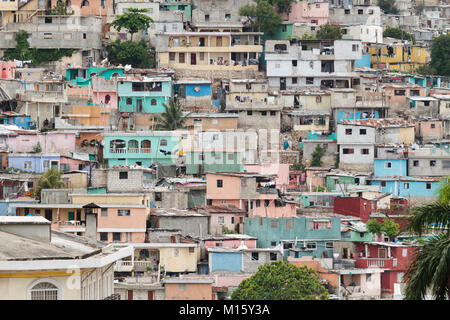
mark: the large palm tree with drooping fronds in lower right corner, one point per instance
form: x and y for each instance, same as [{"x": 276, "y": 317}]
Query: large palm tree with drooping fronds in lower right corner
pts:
[{"x": 430, "y": 269}]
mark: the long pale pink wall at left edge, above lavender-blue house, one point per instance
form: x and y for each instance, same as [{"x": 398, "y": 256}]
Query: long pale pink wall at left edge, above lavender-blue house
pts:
[{"x": 54, "y": 142}]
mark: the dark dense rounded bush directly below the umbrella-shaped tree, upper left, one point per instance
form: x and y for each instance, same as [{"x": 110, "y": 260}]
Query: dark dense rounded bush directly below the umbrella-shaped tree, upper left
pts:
[{"x": 137, "y": 54}]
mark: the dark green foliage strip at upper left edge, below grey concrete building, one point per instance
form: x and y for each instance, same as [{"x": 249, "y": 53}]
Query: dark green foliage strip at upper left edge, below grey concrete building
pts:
[{"x": 23, "y": 52}]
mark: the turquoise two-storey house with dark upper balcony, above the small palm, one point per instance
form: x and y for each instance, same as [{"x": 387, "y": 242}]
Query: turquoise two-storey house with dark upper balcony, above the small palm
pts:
[{"x": 146, "y": 95}]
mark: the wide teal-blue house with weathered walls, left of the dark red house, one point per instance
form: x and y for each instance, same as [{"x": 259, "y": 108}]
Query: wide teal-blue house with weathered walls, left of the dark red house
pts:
[{"x": 306, "y": 235}]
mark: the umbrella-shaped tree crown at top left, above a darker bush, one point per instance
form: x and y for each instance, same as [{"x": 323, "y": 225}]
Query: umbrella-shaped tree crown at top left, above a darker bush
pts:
[{"x": 133, "y": 20}]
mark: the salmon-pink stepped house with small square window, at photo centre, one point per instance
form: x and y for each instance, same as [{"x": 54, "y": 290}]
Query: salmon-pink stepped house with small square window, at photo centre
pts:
[{"x": 256, "y": 194}]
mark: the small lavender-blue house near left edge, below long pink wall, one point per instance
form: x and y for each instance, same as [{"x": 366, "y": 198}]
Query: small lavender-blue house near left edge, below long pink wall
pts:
[{"x": 34, "y": 162}]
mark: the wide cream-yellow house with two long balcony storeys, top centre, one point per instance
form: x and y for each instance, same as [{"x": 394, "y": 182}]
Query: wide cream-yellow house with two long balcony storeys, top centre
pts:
[{"x": 212, "y": 51}]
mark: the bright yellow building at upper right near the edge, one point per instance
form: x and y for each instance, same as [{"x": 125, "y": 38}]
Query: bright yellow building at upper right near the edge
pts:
[{"x": 398, "y": 57}]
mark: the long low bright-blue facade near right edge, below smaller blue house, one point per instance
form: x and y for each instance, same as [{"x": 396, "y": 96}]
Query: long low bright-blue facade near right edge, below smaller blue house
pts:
[{"x": 411, "y": 189}]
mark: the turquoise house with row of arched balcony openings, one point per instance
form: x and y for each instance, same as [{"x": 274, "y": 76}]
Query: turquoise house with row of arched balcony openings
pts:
[{"x": 142, "y": 148}]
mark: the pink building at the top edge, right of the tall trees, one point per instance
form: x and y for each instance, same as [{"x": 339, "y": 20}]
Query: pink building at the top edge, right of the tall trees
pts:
[{"x": 302, "y": 11}]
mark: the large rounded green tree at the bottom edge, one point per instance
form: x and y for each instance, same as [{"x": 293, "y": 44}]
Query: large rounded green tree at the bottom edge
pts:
[{"x": 281, "y": 280}]
